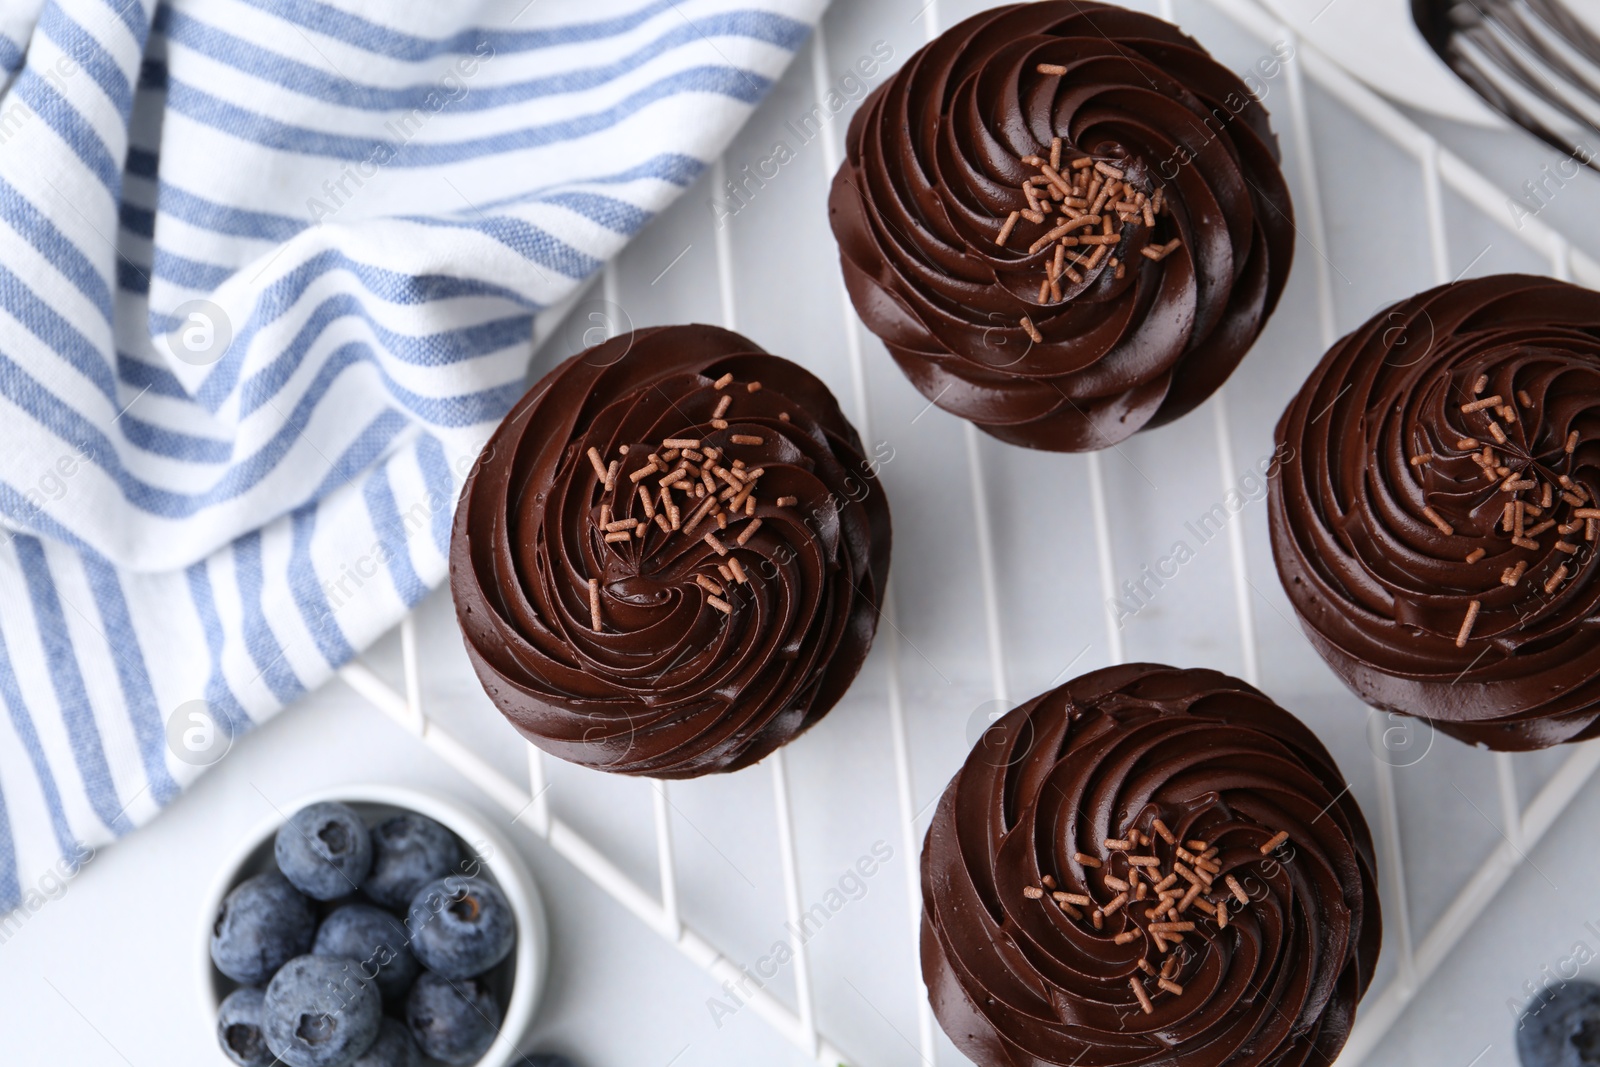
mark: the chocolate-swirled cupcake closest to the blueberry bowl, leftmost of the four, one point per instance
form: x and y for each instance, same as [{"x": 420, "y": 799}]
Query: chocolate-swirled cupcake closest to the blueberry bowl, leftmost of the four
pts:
[{"x": 671, "y": 556}]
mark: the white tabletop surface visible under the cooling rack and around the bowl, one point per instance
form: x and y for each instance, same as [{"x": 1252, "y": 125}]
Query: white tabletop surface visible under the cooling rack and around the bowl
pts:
[{"x": 106, "y": 973}]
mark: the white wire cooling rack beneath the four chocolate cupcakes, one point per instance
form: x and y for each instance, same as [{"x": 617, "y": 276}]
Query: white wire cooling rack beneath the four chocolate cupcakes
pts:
[{"x": 975, "y": 617}]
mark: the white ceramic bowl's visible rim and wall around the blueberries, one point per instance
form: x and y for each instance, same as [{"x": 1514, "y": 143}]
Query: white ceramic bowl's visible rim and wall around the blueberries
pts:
[{"x": 519, "y": 980}]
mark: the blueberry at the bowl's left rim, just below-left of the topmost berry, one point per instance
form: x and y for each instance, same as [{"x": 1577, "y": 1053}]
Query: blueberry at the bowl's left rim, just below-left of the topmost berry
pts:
[{"x": 263, "y": 925}]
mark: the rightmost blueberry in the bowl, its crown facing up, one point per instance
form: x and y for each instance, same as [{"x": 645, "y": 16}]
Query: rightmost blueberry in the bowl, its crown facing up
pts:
[{"x": 462, "y": 927}]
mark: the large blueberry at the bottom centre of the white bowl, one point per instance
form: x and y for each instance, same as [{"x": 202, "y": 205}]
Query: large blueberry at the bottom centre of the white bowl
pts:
[{"x": 321, "y": 1013}]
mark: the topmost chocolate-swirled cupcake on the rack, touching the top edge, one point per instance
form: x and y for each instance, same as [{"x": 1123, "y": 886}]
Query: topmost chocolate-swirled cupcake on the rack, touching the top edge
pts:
[{"x": 1066, "y": 222}]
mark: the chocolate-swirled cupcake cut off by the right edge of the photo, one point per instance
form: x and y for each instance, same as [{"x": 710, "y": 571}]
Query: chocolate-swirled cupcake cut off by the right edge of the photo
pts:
[{"x": 1438, "y": 529}]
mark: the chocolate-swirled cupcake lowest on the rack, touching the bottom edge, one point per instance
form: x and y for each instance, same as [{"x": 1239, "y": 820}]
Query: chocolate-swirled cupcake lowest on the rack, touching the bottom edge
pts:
[{"x": 1148, "y": 866}]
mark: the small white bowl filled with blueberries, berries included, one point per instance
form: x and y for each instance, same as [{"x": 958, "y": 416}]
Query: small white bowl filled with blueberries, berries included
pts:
[{"x": 375, "y": 927}]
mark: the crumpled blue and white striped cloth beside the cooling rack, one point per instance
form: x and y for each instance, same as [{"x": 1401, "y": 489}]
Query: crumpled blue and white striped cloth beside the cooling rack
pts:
[{"x": 268, "y": 278}]
